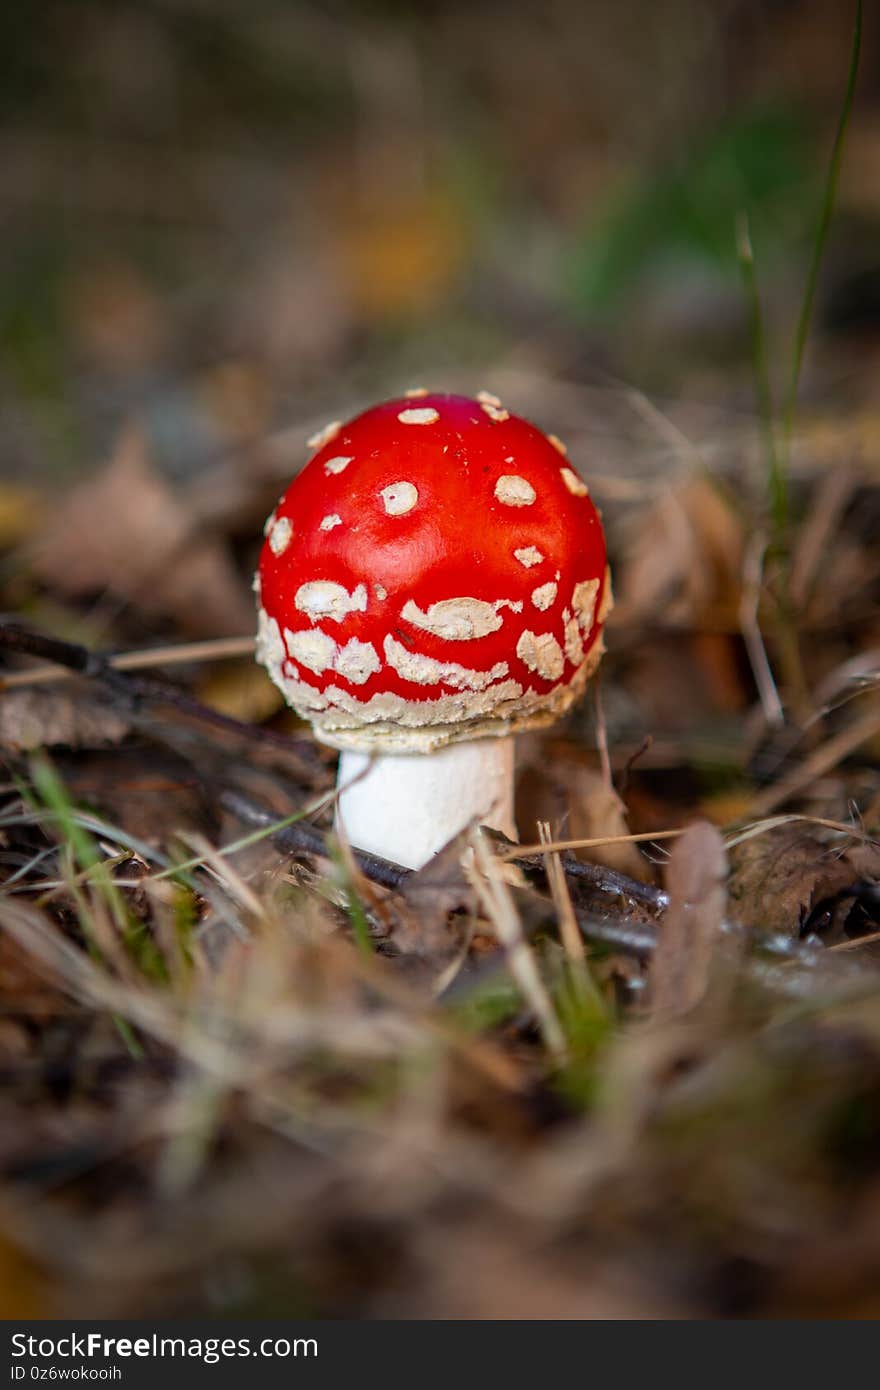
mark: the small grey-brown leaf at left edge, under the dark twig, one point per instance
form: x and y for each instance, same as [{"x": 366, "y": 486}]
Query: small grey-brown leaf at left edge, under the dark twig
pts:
[{"x": 59, "y": 717}]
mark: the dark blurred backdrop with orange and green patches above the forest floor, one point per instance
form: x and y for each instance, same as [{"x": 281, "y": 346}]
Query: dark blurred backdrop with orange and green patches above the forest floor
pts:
[{"x": 222, "y": 220}]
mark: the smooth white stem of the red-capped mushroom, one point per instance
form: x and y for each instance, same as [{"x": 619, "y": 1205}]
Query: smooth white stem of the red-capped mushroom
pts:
[{"x": 407, "y": 807}]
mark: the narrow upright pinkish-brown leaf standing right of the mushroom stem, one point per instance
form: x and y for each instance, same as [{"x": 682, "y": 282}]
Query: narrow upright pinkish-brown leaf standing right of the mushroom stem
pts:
[{"x": 681, "y": 967}]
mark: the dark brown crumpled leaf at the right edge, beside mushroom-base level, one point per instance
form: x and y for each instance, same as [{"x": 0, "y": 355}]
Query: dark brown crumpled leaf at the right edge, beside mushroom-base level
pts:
[{"x": 779, "y": 879}]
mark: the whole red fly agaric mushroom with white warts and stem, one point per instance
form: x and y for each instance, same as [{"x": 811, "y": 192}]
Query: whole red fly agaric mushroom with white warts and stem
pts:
[{"x": 433, "y": 582}]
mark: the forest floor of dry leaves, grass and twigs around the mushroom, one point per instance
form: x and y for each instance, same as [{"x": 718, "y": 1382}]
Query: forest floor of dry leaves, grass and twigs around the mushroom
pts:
[{"x": 248, "y": 1074}]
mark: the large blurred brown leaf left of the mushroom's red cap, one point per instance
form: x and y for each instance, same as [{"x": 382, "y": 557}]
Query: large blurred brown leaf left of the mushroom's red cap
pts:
[{"x": 127, "y": 532}]
